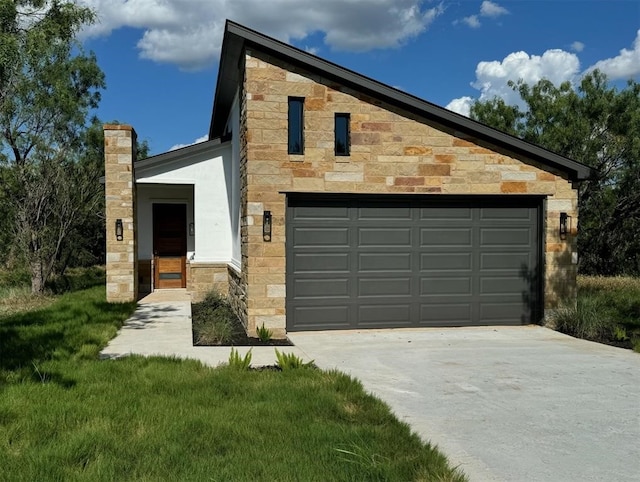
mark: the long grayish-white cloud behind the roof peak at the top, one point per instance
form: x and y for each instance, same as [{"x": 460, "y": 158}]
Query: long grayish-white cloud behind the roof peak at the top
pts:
[{"x": 189, "y": 32}]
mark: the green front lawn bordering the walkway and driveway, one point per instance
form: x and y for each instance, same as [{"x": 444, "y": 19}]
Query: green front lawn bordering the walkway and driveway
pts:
[{"x": 64, "y": 415}]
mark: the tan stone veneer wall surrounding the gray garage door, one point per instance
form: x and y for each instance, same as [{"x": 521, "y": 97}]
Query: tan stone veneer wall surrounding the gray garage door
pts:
[{"x": 390, "y": 154}]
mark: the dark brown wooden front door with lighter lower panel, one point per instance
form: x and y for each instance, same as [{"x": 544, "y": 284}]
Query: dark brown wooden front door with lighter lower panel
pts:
[{"x": 170, "y": 245}]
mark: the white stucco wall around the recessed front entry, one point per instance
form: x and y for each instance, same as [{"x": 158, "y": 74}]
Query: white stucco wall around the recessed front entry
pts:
[{"x": 201, "y": 181}]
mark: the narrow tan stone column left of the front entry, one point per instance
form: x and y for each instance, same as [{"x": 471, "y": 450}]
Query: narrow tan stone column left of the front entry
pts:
[{"x": 120, "y": 190}]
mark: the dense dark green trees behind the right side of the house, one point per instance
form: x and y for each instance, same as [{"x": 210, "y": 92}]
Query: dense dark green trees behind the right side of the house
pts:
[{"x": 600, "y": 126}]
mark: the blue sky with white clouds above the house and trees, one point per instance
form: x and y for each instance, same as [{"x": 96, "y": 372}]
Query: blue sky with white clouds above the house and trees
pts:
[{"x": 160, "y": 57}]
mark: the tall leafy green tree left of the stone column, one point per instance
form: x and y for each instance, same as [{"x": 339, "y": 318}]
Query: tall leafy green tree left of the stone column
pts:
[{"x": 47, "y": 86}]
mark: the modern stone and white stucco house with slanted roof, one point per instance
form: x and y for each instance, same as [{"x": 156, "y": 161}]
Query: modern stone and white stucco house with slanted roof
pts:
[{"x": 326, "y": 200}]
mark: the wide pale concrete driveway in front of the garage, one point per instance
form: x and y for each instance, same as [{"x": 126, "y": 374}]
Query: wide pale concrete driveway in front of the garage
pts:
[{"x": 505, "y": 404}]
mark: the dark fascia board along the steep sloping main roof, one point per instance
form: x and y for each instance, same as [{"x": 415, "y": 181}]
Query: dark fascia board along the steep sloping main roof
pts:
[{"x": 237, "y": 37}]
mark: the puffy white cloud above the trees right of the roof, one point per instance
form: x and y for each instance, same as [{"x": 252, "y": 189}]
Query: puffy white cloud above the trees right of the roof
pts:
[{"x": 492, "y": 77}]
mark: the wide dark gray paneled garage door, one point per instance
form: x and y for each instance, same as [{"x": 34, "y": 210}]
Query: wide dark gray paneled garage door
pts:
[{"x": 385, "y": 262}]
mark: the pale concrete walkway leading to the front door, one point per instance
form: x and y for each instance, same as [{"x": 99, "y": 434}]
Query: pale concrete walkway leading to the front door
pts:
[{"x": 161, "y": 325}]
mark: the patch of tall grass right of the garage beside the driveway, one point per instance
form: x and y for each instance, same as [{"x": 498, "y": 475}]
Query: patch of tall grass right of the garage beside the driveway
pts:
[{"x": 607, "y": 311}]
